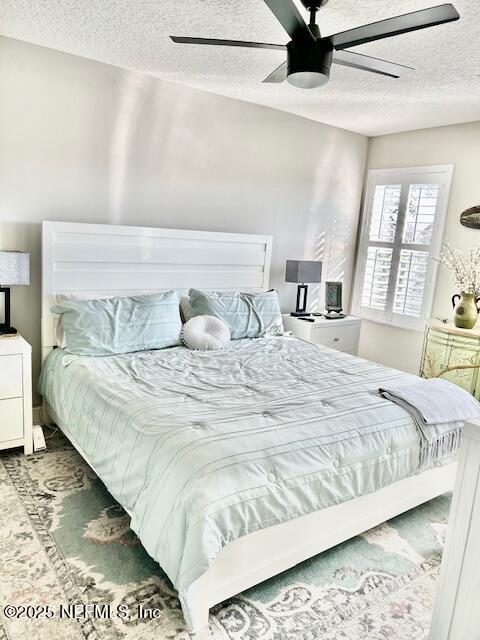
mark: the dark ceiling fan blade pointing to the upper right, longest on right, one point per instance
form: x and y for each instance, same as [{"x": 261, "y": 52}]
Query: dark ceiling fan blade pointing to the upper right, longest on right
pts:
[{"x": 395, "y": 26}]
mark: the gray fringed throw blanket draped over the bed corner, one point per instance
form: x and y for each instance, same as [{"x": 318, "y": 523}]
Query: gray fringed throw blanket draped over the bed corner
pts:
[{"x": 439, "y": 409}]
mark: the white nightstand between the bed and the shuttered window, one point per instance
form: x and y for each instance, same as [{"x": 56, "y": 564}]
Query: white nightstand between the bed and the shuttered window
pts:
[{"x": 342, "y": 334}]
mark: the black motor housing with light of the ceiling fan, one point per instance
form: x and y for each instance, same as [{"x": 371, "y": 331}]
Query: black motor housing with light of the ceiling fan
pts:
[{"x": 309, "y": 64}]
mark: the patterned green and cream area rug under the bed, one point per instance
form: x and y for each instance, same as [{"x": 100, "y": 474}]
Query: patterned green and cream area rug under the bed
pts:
[{"x": 67, "y": 551}]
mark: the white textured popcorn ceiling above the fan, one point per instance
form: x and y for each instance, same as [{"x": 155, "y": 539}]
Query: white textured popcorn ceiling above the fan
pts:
[{"x": 444, "y": 88}]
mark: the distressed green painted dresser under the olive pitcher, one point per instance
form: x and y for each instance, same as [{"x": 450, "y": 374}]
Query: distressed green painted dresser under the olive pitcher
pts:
[{"x": 453, "y": 354}]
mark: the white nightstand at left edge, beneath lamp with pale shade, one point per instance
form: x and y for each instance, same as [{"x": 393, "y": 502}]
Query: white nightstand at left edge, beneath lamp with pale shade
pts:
[{"x": 15, "y": 393}]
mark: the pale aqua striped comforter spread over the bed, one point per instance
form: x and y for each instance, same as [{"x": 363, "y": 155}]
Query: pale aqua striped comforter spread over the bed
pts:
[{"x": 204, "y": 447}]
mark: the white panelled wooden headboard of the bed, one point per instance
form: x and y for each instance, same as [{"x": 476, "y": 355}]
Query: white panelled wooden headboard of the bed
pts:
[{"x": 114, "y": 259}]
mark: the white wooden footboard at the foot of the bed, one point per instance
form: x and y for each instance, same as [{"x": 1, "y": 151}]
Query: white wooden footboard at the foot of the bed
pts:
[{"x": 261, "y": 555}]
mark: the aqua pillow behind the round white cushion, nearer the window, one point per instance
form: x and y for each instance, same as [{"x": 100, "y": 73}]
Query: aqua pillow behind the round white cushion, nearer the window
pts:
[{"x": 248, "y": 315}]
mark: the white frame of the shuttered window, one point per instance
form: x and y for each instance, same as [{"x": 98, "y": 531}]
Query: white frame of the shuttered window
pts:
[{"x": 439, "y": 174}]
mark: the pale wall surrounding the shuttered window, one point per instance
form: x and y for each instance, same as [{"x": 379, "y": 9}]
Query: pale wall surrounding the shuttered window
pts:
[{"x": 460, "y": 145}]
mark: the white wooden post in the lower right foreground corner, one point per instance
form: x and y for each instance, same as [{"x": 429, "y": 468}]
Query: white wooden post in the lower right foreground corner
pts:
[{"x": 455, "y": 613}]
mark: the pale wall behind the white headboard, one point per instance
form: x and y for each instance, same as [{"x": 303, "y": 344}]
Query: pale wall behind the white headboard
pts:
[{"x": 84, "y": 141}]
